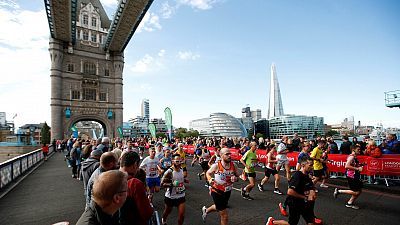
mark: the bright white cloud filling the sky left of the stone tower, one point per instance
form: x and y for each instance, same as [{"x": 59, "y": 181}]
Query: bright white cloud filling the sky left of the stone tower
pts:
[{"x": 25, "y": 62}]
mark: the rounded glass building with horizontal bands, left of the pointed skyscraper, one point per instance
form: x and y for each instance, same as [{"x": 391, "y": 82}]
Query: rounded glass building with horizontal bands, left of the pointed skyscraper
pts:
[{"x": 220, "y": 125}]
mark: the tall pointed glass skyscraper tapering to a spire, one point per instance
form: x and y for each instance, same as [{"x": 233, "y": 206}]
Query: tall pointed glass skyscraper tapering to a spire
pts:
[{"x": 275, "y": 100}]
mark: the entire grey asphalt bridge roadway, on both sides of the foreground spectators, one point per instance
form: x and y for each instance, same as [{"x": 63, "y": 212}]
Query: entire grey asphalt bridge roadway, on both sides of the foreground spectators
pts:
[{"x": 50, "y": 195}]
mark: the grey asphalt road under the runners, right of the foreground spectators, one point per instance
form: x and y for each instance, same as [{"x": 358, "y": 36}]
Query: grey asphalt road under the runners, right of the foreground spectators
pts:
[{"x": 375, "y": 207}]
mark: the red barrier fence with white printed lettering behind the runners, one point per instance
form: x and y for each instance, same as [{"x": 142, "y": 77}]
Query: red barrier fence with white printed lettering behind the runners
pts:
[{"x": 386, "y": 167}]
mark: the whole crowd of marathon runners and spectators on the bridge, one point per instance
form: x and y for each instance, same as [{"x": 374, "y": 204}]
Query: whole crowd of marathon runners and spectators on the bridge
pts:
[{"x": 120, "y": 180}]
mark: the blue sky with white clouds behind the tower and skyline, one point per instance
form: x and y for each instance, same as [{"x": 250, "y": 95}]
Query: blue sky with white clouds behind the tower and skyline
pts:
[{"x": 334, "y": 59}]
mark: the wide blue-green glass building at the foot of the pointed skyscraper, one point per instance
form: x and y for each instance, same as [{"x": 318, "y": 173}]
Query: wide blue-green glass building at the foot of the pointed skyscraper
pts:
[{"x": 306, "y": 126}]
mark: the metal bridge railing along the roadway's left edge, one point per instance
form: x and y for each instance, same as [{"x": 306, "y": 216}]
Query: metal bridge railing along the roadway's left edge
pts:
[{"x": 13, "y": 168}]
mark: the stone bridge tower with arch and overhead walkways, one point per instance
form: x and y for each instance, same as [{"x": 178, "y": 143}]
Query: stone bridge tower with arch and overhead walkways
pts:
[{"x": 86, "y": 52}]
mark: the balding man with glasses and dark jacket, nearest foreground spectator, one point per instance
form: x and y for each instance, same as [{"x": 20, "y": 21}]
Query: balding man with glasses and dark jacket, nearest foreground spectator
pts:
[{"x": 109, "y": 194}]
